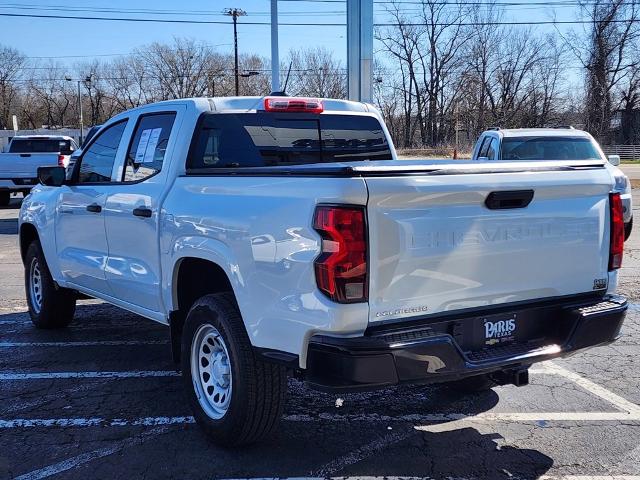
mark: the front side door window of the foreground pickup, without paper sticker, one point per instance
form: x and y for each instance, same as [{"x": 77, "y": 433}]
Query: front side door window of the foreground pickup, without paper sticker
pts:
[{"x": 97, "y": 161}]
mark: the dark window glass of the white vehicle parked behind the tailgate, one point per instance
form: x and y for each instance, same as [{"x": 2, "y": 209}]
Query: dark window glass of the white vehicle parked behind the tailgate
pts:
[{"x": 549, "y": 148}]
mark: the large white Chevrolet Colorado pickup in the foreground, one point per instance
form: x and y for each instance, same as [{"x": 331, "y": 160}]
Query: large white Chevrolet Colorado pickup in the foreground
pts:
[{"x": 277, "y": 235}]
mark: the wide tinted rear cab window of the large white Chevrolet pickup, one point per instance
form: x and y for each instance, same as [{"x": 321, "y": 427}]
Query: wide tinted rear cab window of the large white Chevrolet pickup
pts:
[{"x": 259, "y": 139}]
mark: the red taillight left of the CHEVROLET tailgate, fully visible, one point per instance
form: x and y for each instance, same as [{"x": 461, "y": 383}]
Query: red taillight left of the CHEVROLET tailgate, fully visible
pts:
[{"x": 341, "y": 268}]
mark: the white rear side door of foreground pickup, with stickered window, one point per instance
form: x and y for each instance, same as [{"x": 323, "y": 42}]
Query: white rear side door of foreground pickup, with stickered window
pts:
[{"x": 132, "y": 212}]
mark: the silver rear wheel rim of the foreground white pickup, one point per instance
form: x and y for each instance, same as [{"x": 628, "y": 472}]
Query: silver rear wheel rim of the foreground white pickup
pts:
[{"x": 211, "y": 371}]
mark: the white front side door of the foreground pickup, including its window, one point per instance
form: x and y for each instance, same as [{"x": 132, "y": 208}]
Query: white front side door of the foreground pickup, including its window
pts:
[{"x": 80, "y": 235}]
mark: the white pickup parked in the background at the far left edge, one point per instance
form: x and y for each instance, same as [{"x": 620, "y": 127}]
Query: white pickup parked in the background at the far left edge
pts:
[{"x": 24, "y": 154}]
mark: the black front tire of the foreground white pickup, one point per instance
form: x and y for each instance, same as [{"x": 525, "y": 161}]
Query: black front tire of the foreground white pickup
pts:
[{"x": 57, "y": 305}]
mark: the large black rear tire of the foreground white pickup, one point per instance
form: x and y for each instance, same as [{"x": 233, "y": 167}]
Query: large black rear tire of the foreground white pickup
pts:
[{"x": 258, "y": 388}]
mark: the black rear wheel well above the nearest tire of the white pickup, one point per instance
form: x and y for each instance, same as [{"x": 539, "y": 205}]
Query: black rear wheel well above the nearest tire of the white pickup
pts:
[{"x": 194, "y": 278}]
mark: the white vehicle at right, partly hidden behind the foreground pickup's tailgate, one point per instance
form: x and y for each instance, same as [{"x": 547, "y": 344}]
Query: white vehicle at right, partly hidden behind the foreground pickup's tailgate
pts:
[{"x": 560, "y": 143}]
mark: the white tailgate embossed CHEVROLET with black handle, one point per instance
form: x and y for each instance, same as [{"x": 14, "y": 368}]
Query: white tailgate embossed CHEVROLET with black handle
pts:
[{"x": 437, "y": 247}]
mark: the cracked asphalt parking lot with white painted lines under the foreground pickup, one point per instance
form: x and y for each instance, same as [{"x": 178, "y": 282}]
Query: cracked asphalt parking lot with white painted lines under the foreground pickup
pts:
[{"x": 101, "y": 399}]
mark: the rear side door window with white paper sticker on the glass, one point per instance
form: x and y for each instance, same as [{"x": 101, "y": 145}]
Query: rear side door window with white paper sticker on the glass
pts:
[{"x": 149, "y": 146}]
